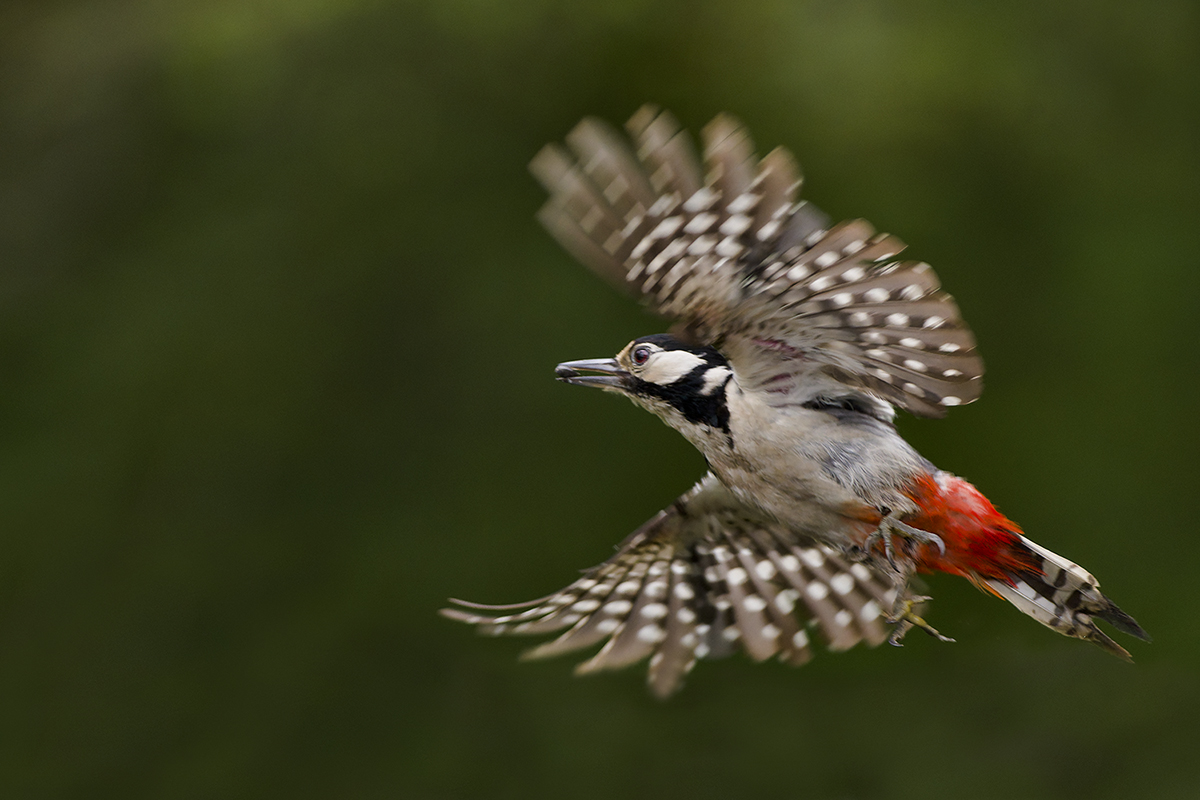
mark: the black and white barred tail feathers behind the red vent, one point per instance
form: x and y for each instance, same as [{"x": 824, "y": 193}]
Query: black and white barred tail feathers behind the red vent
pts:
[{"x": 1066, "y": 598}]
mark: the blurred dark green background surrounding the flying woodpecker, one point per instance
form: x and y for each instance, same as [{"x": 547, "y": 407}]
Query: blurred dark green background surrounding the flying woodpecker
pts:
[{"x": 278, "y": 332}]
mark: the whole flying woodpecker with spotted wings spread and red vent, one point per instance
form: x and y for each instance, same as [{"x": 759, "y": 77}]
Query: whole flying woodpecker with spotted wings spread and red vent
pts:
[{"x": 796, "y": 341}]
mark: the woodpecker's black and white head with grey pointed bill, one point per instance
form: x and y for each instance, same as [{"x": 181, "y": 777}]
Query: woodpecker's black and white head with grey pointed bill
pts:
[{"x": 682, "y": 384}]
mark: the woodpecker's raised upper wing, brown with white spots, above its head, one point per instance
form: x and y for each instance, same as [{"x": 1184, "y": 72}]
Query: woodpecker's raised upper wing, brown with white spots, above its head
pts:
[{"x": 799, "y": 306}]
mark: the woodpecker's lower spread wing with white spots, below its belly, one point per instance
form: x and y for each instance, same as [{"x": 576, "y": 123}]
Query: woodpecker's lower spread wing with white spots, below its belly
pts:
[{"x": 700, "y": 581}]
